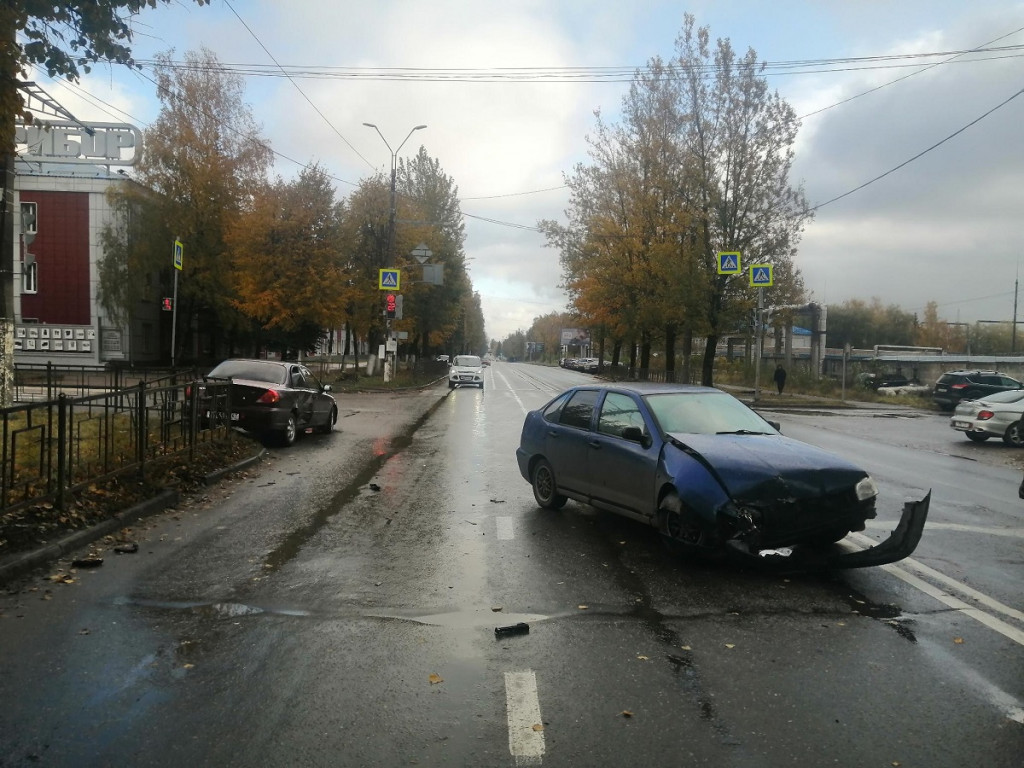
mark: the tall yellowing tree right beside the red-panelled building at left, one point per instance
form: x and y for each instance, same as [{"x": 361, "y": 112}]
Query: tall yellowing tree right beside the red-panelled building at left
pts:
[{"x": 204, "y": 164}]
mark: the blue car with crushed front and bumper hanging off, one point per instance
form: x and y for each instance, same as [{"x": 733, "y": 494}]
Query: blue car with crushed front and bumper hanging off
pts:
[{"x": 707, "y": 472}]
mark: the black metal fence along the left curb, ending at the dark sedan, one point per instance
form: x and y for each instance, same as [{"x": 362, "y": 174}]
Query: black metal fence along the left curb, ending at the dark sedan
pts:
[{"x": 54, "y": 448}]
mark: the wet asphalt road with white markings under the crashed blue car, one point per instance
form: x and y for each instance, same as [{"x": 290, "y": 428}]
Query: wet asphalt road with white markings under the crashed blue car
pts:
[{"x": 337, "y": 608}]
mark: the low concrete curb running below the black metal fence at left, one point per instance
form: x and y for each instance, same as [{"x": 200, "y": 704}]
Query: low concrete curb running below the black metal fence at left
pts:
[{"x": 21, "y": 563}]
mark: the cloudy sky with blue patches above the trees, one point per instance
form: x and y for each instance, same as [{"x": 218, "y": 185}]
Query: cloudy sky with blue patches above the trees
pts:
[{"x": 947, "y": 228}]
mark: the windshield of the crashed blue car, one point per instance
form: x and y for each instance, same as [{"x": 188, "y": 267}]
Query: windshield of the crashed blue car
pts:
[{"x": 705, "y": 413}]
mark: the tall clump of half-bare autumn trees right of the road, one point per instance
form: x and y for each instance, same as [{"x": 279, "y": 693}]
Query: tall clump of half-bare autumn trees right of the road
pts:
[{"x": 699, "y": 164}]
